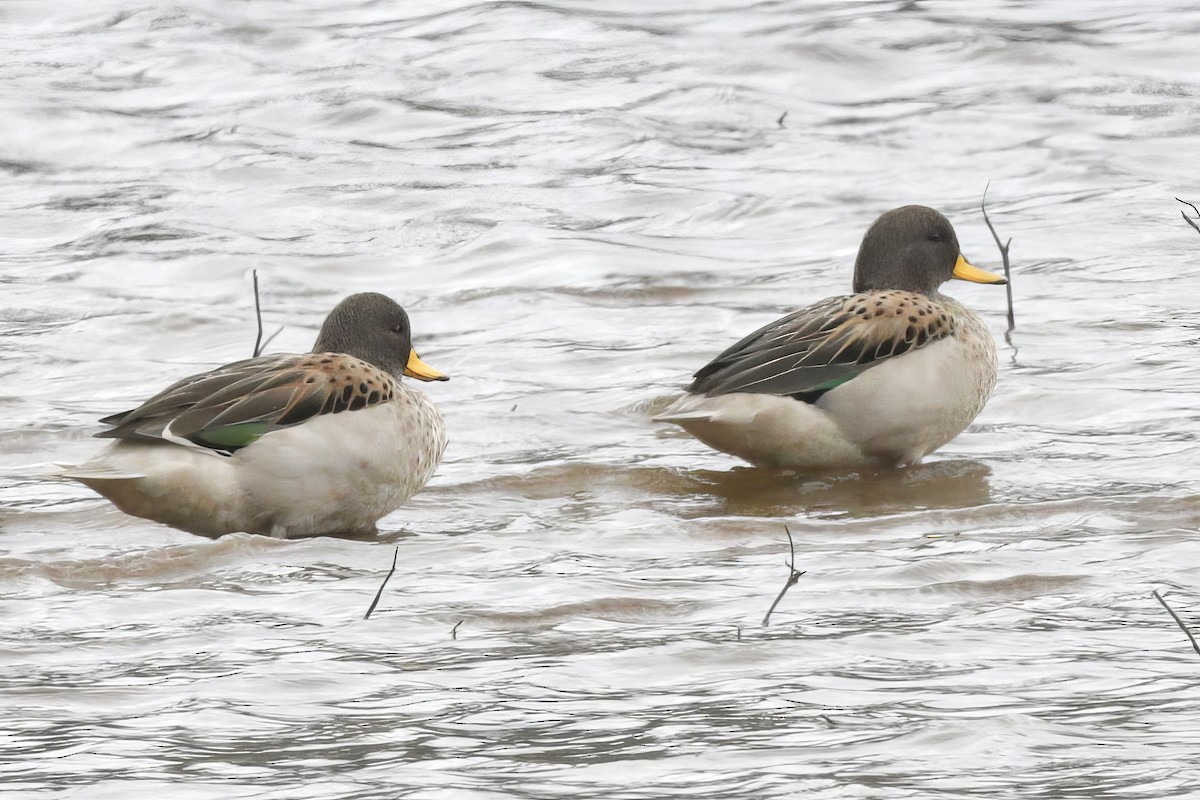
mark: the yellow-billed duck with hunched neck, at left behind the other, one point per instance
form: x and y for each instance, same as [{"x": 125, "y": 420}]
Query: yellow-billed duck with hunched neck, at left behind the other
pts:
[{"x": 323, "y": 443}]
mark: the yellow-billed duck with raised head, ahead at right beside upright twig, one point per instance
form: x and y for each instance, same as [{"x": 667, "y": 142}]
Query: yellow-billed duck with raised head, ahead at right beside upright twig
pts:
[{"x": 875, "y": 380}]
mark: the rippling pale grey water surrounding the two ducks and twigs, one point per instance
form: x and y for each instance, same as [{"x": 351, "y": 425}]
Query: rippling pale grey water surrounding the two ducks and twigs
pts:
[{"x": 580, "y": 204}]
